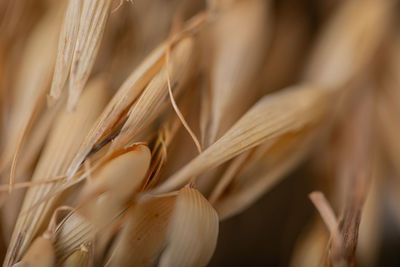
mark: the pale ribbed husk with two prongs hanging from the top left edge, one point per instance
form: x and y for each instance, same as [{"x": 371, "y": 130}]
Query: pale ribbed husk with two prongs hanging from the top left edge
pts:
[{"x": 79, "y": 41}]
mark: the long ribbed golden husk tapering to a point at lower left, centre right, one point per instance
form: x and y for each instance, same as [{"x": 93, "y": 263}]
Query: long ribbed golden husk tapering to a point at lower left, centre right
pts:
[{"x": 303, "y": 106}]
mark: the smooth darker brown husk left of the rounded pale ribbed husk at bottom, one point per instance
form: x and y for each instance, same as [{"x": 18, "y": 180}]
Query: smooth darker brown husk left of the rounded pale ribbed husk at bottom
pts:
[{"x": 143, "y": 236}]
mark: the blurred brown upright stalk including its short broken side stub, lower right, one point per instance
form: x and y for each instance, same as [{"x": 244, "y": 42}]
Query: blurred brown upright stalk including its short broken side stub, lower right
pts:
[{"x": 354, "y": 176}]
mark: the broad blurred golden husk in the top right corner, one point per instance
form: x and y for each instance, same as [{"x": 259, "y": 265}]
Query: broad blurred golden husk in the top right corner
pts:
[{"x": 349, "y": 42}]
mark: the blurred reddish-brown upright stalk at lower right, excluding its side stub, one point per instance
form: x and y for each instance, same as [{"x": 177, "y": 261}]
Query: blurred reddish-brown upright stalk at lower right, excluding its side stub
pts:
[{"x": 360, "y": 138}]
